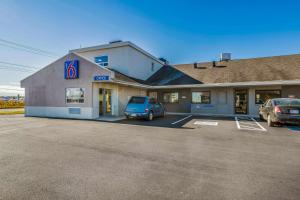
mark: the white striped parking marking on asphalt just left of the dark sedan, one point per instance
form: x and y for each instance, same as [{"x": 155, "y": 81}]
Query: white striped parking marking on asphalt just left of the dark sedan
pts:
[{"x": 248, "y": 123}]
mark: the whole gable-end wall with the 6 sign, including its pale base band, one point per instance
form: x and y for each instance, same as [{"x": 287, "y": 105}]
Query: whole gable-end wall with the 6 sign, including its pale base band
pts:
[{"x": 45, "y": 91}]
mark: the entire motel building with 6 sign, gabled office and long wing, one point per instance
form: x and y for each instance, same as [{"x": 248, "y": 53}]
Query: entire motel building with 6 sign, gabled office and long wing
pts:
[{"x": 97, "y": 81}]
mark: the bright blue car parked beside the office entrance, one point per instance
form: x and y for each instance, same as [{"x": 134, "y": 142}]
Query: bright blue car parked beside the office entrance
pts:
[{"x": 144, "y": 107}]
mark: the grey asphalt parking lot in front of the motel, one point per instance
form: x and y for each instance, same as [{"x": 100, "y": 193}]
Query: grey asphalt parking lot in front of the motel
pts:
[{"x": 176, "y": 157}]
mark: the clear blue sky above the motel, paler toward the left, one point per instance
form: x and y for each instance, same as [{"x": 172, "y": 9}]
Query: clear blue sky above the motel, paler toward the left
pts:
[{"x": 180, "y": 31}]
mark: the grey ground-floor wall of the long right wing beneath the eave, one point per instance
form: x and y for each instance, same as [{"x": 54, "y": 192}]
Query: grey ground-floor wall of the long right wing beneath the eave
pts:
[{"x": 222, "y": 99}]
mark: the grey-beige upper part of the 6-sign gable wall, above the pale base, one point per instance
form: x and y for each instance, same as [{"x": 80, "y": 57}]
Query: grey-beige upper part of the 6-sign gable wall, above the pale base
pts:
[{"x": 47, "y": 86}]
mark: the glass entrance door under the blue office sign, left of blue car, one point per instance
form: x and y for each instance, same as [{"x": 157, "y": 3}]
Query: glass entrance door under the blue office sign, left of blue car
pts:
[{"x": 105, "y": 102}]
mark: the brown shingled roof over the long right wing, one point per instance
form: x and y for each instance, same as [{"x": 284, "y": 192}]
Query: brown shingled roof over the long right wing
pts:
[{"x": 244, "y": 70}]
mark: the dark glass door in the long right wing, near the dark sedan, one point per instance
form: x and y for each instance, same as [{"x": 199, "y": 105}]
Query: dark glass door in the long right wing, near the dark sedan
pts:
[{"x": 241, "y": 101}]
